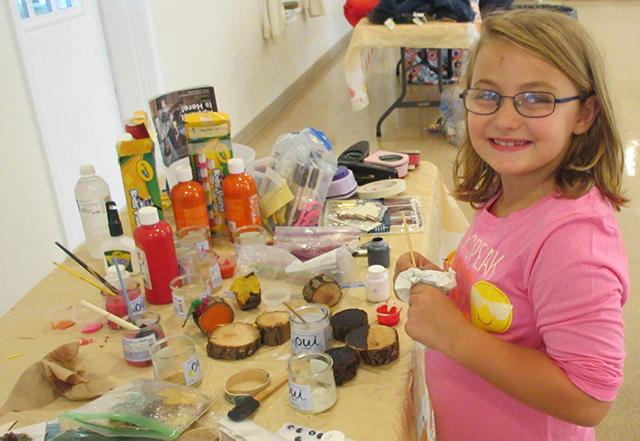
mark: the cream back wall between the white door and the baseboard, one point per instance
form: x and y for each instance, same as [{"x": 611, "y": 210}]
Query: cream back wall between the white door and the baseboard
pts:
[{"x": 220, "y": 43}]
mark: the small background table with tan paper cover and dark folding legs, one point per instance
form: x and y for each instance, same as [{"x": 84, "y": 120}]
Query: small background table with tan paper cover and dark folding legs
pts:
[{"x": 367, "y": 36}]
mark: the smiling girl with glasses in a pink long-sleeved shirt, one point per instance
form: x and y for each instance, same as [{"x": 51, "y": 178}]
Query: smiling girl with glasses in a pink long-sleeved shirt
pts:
[{"x": 529, "y": 346}]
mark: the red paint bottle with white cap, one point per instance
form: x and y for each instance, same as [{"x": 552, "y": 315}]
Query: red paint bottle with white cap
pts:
[{"x": 157, "y": 255}]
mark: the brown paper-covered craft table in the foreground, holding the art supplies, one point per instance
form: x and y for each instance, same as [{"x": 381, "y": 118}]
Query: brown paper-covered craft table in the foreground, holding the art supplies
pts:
[{"x": 381, "y": 403}]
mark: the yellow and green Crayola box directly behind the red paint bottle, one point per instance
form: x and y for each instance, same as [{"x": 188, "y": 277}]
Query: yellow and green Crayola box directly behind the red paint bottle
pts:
[{"x": 139, "y": 177}]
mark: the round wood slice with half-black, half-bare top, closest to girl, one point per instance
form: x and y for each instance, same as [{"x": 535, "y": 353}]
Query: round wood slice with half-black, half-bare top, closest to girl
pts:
[{"x": 376, "y": 345}]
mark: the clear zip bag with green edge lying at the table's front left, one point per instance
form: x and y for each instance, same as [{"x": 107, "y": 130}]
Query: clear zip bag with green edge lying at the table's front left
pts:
[{"x": 143, "y": 409}]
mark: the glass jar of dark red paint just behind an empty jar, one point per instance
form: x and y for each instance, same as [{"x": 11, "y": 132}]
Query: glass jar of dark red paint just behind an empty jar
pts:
[{"x": 136, "y": 344}]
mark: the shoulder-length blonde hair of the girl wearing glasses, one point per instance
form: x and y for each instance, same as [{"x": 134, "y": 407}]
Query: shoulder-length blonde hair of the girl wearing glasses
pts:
[{"x": 593, "y": 158}]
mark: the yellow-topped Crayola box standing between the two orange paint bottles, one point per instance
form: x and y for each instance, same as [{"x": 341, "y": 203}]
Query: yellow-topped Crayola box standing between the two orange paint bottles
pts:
[{"x": 209, "y": 143}]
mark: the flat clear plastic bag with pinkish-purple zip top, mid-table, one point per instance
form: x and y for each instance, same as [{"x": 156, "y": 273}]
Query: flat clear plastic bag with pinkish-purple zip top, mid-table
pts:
[{"x": 308, "y": 242}]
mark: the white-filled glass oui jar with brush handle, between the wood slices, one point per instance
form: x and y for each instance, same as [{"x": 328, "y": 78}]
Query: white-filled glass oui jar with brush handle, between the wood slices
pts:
[{"x": 313, "y": 336}]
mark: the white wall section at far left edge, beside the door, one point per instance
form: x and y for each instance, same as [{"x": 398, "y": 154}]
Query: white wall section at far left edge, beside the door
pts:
[{"x": 30, "y": 220}]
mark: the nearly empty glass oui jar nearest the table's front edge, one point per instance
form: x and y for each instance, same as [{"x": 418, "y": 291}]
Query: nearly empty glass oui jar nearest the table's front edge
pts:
[{"x": 312, "y": 387}]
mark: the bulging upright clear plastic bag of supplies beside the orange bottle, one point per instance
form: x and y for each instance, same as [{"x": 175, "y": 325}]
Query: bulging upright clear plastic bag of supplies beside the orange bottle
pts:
[{"x": 295, "y": 184}]
